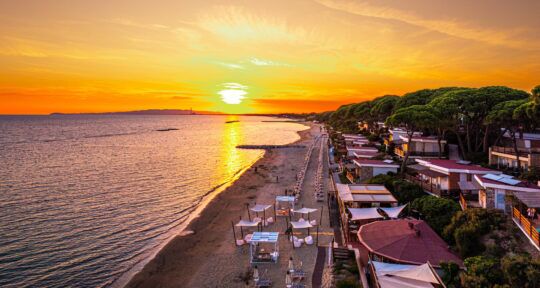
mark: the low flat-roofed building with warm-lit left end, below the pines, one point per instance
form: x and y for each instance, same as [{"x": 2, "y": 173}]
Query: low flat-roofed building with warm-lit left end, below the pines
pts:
[{"x": 420, "y": 147}]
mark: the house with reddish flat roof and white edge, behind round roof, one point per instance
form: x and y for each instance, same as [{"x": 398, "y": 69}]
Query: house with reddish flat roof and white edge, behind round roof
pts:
[{"x": 441, "y": 177}]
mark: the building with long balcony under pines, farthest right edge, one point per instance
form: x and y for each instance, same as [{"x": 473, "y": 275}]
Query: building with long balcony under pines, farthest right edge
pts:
[{"x": 504, "y": 156}]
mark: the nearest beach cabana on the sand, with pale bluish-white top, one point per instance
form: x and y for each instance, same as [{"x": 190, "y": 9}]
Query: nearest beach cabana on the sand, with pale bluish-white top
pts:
[{"x": 261, "y": 254}]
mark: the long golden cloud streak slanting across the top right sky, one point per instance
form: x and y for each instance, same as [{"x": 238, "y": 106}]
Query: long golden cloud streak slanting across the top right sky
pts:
[{"x": 454, "y": 28}]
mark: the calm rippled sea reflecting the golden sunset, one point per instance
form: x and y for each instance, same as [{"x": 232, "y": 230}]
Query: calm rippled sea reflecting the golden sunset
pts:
[{"x": 85, "y": 198}]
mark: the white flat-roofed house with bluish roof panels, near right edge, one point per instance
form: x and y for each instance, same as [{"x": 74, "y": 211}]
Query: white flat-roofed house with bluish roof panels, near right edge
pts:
[{"x": 495, "y": 189}]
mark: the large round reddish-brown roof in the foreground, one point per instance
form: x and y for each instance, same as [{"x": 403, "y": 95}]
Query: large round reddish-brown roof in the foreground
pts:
[{"x": 397, "y": 241}]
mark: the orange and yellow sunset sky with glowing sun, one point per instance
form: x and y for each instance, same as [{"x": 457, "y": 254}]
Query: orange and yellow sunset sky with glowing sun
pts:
[{"x": 256, "y": 56}]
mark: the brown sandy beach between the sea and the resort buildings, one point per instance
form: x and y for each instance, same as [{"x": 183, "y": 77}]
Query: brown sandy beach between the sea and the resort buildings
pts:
[{"x": 208, "y": 256}]
